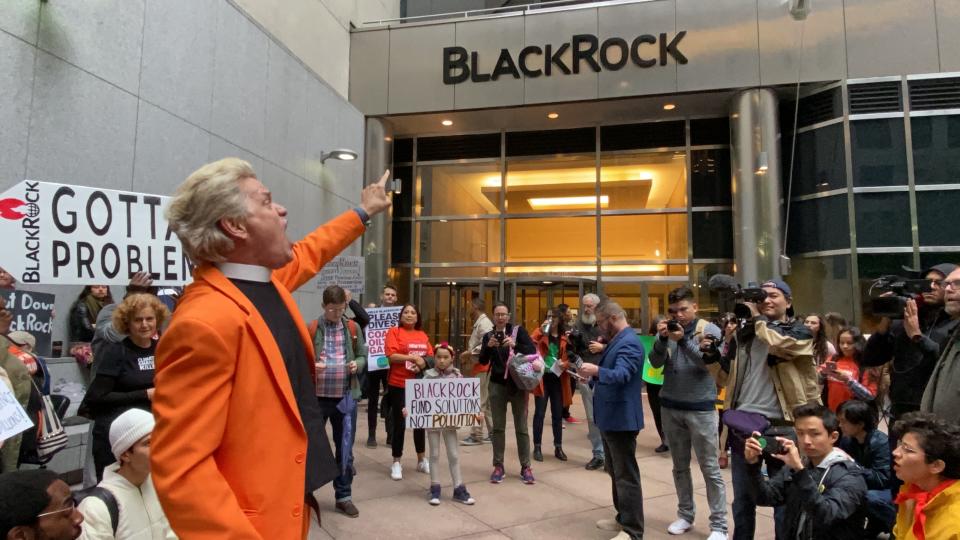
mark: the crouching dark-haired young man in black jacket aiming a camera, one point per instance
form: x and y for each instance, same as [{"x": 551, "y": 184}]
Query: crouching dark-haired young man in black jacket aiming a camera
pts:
[{"x": 821, "y": 487}]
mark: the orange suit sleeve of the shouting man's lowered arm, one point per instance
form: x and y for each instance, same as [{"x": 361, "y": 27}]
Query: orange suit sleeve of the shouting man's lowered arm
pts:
[{"x": 194, "y": 381}]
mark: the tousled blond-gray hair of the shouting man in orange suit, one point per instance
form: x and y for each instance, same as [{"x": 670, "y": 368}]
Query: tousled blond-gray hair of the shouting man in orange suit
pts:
[{"x": 208, "y": 195}]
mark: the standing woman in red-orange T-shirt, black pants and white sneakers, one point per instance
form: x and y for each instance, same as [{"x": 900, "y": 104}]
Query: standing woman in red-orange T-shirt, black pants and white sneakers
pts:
[{"x": 407, "y": 348}]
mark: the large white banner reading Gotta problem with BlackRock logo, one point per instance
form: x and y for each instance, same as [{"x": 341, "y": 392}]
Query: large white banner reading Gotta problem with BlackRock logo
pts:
[{"x": 74, "y": 235}]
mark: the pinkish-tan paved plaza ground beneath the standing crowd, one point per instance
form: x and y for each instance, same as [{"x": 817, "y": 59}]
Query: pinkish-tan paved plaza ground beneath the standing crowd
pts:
[{"x": 564, "y": 504}]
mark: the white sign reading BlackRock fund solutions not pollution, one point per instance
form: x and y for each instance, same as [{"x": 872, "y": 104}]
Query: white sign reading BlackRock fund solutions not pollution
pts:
[{"x": 443, "y": 403}]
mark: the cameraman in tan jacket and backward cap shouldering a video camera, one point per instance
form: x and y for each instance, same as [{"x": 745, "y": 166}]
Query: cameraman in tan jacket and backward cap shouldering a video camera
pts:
[{"x": 769, "y": 373}]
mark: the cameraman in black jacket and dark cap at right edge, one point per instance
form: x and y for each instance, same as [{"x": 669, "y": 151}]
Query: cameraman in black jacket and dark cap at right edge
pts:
[{"x": 913, "y": 343}]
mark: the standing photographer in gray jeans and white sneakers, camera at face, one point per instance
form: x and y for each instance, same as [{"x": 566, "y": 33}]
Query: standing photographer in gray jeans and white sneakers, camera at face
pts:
[{"x": 690, "y": 418}]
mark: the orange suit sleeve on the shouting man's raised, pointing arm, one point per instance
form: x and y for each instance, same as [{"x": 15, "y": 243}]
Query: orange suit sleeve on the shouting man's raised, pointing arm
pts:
[{"x": 318, "y": 248}]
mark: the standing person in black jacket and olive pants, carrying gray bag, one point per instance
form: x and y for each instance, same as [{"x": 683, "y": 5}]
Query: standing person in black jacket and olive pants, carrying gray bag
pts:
[{"x": 498, "y": 345}]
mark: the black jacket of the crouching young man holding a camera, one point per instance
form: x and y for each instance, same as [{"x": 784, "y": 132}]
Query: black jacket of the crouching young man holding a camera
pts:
[{"x": 836, "y": 513}]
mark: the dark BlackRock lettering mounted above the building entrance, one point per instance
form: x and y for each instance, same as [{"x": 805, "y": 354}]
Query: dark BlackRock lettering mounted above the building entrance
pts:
[{"x": 644, "y": 51}]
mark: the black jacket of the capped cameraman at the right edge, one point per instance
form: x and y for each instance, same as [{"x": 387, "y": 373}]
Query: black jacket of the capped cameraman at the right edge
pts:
[{"x": 913, "y": 361}]
